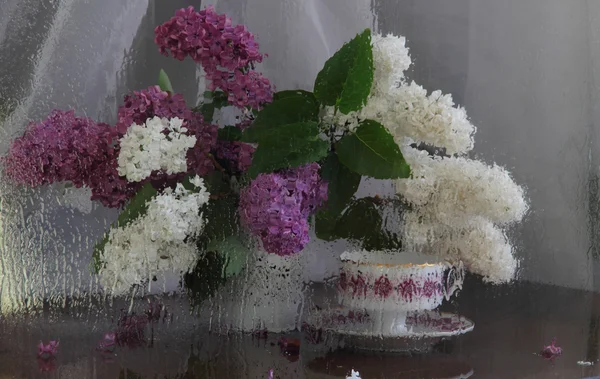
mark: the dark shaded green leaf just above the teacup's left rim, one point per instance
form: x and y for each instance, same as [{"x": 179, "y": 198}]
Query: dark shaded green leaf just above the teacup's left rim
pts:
[{"x": 363, "y": 223}]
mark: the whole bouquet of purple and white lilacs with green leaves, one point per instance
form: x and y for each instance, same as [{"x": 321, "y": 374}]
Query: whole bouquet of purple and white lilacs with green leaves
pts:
[{"x": 196, "y": 196}]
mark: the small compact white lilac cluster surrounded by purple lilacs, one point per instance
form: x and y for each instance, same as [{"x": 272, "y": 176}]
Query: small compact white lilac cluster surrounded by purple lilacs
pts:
[{"x": 159, "y": 144}]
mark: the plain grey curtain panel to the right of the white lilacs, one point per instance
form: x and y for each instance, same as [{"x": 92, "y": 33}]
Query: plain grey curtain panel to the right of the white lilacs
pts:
[{"x": 530, "y": 86}]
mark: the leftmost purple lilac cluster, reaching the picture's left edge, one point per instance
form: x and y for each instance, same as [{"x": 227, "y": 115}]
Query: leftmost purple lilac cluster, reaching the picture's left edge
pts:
[{"x": 62, "y": 147}]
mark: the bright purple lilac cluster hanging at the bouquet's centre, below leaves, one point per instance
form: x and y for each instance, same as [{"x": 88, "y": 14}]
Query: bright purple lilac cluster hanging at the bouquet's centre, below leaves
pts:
[{"x": 276, "y": 207}]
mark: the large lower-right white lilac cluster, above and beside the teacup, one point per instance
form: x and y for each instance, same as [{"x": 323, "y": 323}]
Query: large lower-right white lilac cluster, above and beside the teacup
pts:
[{"x": 458, "y": 208}]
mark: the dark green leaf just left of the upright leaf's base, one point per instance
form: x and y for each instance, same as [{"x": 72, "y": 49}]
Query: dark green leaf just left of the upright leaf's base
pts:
[{"x": 292, "y": 108}]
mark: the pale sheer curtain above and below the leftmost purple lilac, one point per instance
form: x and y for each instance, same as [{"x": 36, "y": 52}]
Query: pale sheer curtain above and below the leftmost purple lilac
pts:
[{"x": 67, "y": 54}]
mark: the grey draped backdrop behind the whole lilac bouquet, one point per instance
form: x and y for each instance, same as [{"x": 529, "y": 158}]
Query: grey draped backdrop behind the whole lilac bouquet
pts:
[{"x": 525, "y": 70}]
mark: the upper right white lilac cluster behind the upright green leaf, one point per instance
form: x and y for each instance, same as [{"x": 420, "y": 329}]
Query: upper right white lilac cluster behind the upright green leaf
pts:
[{"x": 405, "y": 109}]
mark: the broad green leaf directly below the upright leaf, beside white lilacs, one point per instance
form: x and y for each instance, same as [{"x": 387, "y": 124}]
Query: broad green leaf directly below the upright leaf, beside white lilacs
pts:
[{"x": 372, "y": 151}]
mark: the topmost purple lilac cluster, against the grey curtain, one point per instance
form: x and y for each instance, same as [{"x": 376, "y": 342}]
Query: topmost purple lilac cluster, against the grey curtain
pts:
[{"x": 227, "y": 53}]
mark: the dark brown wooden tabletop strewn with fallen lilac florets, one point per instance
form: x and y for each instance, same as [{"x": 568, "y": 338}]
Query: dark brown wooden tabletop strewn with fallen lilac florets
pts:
[{"x": 512, "y": 324}]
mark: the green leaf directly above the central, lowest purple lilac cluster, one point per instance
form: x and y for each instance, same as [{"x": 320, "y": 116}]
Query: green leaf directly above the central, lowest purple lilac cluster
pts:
[{"x": 287, "y": 146}]
